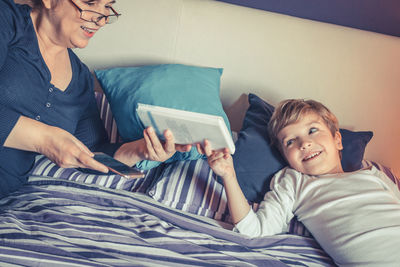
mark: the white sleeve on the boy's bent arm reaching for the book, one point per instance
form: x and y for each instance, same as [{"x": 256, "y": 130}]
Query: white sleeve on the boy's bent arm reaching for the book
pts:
[{"x": 275, "y": 211}]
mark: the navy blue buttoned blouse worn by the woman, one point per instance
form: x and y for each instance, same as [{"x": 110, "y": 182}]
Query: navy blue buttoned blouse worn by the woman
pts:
[{"x": 25, "y": 89}]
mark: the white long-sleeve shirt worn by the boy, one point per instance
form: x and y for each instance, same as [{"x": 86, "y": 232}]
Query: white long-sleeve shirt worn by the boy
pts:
[{"x": 354, "y": 216}]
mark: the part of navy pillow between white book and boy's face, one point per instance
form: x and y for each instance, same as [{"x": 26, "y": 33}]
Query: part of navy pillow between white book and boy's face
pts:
[{"x": 255, "y": 160}]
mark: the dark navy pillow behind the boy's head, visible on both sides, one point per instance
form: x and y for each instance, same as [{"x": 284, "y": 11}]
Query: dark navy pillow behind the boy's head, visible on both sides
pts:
[{"x": 256, "y": 161}]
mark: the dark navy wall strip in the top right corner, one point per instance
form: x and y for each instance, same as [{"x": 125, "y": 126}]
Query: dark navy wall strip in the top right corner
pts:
[{"x": 382, "y": 16}]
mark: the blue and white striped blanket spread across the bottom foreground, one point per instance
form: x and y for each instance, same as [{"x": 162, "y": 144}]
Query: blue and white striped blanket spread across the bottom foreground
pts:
[{"x": 55, "y": 222}]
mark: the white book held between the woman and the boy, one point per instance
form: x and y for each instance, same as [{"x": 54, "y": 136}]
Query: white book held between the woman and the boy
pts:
[{"x": 187, "y": 127}]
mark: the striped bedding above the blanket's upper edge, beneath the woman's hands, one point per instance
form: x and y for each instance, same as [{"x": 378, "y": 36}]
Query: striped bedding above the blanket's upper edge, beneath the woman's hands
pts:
[{"x": 190, "y": 186}]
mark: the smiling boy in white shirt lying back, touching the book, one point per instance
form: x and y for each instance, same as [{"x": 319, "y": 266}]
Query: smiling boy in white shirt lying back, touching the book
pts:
[{"x": 354, "y": 216}]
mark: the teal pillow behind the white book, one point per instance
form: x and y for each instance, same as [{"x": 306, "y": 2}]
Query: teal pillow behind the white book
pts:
[{"x": 178, "y": 86}]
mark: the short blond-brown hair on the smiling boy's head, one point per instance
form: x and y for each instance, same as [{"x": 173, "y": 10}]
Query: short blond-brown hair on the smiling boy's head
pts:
[{"x": 291, "y": 110}]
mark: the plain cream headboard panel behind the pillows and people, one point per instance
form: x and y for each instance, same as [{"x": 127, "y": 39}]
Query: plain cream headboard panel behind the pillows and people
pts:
[{"x": 355, "y": 73}]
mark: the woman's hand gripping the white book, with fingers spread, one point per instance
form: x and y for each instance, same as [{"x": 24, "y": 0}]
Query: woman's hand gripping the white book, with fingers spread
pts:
[{"x": 149, "y": 148}]
